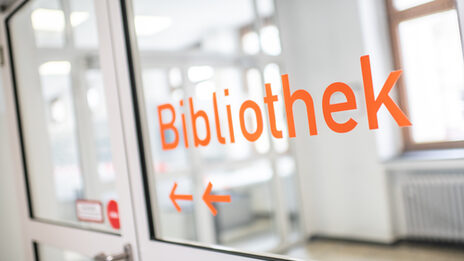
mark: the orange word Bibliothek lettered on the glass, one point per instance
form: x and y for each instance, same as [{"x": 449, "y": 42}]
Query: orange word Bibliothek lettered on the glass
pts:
[{"x": 373, "y": 105}]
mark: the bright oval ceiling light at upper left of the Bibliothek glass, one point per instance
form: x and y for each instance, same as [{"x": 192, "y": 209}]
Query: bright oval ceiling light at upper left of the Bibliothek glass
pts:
[{"x": 150, "y": 25}]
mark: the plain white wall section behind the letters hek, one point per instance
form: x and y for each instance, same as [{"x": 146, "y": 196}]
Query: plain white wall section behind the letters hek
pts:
[{"x": 342, "y": 177}]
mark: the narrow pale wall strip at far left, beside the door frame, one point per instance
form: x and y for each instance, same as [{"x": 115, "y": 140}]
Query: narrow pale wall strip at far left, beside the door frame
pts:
[{"x": 11, "y": 244}]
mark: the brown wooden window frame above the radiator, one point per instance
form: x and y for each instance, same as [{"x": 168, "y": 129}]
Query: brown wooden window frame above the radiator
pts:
[{"x": 395, "y": 17}]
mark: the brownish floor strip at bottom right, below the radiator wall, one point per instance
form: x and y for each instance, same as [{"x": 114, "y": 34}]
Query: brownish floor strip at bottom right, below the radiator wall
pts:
[{"x": 333, "y": 250}]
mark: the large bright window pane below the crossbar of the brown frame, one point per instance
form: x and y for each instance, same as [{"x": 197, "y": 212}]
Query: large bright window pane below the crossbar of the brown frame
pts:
[{"x": 434, "y": 76}]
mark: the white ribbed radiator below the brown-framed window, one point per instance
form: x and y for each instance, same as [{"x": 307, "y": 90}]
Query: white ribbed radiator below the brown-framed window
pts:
[{"x": 432, "y": 205}]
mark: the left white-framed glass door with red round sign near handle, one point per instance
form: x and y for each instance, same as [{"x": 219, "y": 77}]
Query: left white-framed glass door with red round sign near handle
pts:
[{"x": 77, "y": 201}]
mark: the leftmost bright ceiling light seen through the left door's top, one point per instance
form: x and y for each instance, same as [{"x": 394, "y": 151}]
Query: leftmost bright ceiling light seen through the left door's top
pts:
[{"x": 47, "y": 20}]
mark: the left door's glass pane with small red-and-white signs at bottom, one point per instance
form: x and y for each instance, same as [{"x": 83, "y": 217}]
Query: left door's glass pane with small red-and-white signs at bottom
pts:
[{"x": 63, "y": 115}]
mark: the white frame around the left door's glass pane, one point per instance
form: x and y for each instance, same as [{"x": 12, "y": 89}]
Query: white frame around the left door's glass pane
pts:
[{"x": 85, "y": 242}]
